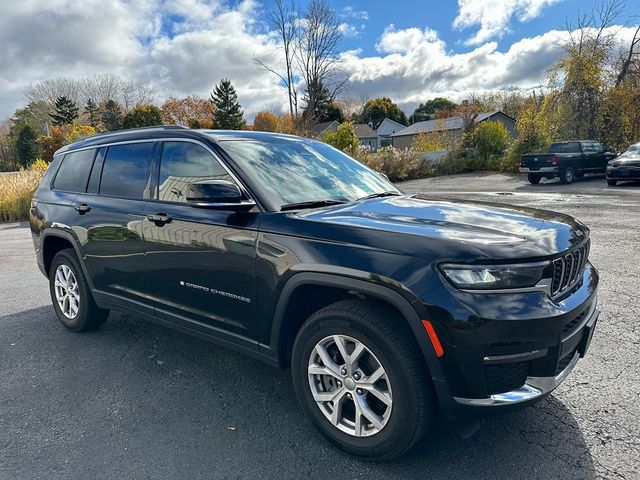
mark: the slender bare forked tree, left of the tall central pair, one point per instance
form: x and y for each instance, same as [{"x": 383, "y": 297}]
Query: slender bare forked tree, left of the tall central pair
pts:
[{"x": 284, "y": 20}]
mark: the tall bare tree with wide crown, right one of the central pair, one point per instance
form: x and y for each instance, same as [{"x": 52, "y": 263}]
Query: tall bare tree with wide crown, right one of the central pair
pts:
[{"x": 317, "y": 55}]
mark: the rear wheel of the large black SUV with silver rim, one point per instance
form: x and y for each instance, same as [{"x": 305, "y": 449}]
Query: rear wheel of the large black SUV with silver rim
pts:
[{"x": 66, "y": 279}]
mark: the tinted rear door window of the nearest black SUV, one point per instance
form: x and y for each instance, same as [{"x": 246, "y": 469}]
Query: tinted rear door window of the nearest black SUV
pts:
[{"x": 124, "y": 173}]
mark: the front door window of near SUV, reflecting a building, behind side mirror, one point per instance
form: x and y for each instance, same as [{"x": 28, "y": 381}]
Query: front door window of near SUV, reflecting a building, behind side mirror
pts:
[{"x": 183, "y": 163}]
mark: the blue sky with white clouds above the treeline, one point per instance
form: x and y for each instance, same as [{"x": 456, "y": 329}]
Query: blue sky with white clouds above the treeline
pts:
[{"x": 408, "y": 50}]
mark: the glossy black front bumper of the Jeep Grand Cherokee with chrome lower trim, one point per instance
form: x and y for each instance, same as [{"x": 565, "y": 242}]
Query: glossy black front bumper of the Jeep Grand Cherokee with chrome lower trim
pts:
[{"x": 503, "y": 351}]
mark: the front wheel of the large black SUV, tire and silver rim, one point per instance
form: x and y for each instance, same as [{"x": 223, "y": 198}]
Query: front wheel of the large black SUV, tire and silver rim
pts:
[{"x": 405, "y": 383}]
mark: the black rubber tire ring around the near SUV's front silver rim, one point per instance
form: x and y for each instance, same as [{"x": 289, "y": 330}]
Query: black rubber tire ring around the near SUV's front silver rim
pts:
[{"x": 392, "y": 435}]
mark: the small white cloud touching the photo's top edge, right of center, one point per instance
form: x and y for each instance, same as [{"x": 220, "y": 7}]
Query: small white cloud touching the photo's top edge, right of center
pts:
[{"x": 494, "y": 16}]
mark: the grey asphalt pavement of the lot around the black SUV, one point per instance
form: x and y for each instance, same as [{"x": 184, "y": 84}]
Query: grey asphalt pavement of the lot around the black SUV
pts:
[{"x": 138, "y": 401}]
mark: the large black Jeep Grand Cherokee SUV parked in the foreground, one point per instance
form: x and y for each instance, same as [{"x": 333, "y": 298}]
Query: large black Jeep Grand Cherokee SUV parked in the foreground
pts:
[{"x": 388, "y": 308}]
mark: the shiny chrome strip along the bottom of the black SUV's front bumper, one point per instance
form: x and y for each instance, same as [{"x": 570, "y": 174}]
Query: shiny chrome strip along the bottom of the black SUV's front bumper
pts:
[{"x": 534, "y": 387}]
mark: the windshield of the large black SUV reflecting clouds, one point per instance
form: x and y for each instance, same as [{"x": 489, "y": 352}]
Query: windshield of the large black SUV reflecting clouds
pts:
[{"x": 295, "y": 170}]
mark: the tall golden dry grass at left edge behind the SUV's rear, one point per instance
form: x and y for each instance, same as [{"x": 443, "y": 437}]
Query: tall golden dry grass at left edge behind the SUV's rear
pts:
[{"x": 16, "y": 190}]
